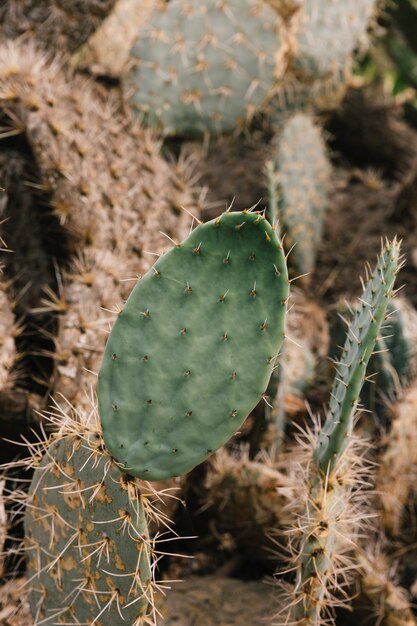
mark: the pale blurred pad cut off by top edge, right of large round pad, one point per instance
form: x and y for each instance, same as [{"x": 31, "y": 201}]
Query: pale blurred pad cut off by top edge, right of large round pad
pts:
[{"x": 328, "y": 33}]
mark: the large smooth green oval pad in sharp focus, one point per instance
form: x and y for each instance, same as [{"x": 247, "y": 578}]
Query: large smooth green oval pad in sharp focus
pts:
[{"x": 193, "y": 350}]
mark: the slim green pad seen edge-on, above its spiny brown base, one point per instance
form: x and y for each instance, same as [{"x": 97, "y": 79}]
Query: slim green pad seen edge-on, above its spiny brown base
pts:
[{"x": 360, "y": 343}]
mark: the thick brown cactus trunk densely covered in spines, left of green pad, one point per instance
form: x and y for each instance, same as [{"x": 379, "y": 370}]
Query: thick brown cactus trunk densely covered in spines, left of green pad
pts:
[{"x": 87, "y": 156}]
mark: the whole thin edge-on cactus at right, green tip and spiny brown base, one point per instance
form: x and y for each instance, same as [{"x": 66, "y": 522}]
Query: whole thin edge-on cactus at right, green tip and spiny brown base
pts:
[{"x": 332, "y": 512}]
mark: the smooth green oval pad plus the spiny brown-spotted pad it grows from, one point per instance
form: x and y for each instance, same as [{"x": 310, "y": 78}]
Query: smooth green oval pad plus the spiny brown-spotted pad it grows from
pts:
[{"x": 86, "y": 515}]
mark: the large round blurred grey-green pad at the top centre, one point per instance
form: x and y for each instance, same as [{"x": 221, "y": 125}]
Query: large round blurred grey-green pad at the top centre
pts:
[{"x": 205, "y": 65}]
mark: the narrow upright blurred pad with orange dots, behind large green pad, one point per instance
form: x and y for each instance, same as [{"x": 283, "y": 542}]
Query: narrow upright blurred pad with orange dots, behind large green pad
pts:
[{"x": 303, "y": 172}]
